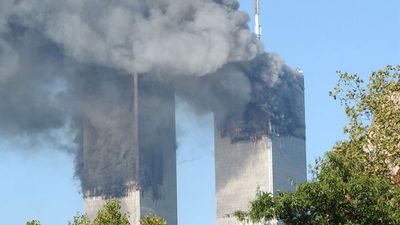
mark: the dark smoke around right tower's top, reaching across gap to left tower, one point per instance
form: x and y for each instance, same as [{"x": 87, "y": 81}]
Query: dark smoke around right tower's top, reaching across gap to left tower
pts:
[{"x": 262, "y": 96}]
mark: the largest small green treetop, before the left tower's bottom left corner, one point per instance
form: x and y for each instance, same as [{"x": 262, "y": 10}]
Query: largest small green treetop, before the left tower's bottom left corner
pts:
[{"x": 111, "y": 214}]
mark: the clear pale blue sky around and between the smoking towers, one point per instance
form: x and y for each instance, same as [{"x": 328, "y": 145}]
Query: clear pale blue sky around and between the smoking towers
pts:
[{"x": 318, "y": 36}]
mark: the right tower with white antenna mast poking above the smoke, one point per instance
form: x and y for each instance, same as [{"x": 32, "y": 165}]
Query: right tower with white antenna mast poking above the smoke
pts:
[{"x": 270, "y": 158}]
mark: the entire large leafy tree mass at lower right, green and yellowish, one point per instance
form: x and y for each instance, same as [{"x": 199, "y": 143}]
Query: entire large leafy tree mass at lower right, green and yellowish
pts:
[{"x": 358, "y": 181}]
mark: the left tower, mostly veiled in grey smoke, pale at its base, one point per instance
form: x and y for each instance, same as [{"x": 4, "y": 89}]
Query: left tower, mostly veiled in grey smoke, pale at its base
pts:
[{"x": 129, "y": 148}]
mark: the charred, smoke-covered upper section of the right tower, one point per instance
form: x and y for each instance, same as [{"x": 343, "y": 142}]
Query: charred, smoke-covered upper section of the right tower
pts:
[{"x": 276, "y": 105}]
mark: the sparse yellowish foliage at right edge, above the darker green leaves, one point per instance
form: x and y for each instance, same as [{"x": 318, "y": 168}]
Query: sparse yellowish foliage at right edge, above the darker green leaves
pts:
[{"x": 373, "y": 111}]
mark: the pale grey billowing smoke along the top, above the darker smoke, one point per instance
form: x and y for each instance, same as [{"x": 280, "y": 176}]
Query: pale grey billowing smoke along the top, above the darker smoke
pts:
[{"x": 191, "y": 37}]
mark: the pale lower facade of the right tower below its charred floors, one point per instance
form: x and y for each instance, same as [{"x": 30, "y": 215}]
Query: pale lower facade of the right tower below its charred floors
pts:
[{"x": 270, "y": 164}]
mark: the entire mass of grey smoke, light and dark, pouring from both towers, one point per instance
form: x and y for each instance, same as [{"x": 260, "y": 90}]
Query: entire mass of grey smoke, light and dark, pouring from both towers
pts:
[{"x": 68, "y": 63}]
